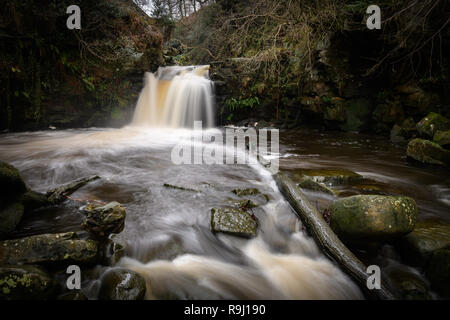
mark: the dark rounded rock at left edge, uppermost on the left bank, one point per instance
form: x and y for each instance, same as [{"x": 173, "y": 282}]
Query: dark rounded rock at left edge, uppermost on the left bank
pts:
[{"x": 11, "y": 183}]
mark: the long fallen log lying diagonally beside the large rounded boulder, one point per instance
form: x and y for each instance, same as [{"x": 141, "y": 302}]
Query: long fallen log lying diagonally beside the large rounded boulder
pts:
[{"x": 326, "y": 238}]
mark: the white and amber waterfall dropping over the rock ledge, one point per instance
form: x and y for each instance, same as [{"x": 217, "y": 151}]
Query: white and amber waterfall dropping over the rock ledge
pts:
[{"x": 175, "y": 97}]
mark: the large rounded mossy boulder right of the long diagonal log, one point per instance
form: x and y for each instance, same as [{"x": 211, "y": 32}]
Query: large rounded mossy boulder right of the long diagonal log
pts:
[{"x": 375, "y": 218}]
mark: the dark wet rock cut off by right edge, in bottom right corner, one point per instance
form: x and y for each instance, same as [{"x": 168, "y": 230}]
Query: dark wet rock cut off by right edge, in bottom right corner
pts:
[{"x": 438, "y": 271}]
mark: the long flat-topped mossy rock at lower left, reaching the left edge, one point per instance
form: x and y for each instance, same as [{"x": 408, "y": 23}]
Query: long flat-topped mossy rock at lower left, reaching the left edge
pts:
[{"x": 62, "y": 248}]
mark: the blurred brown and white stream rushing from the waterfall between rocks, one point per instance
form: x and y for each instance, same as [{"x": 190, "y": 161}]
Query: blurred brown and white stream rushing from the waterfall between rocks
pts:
[{"x": 167, "y": 234}]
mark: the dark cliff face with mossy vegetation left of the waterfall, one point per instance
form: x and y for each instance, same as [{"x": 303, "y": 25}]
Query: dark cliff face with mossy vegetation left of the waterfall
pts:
[{"x": 53, "y": 76}]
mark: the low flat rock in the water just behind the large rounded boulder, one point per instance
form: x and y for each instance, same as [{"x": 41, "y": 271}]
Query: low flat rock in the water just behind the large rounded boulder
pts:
[{"x": 329, "y": 176}]
